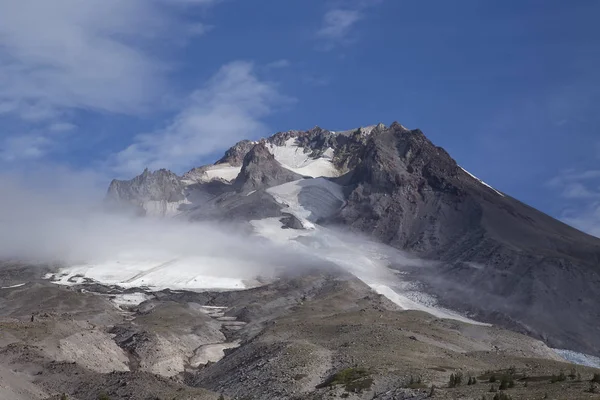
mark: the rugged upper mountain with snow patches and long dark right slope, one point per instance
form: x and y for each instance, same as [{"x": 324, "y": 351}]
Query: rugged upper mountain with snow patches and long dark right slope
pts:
[{"x": 498, "y": 259}]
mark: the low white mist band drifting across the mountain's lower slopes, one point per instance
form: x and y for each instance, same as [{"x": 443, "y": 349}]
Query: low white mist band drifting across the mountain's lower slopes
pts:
[{"x": 58, "y": 219}]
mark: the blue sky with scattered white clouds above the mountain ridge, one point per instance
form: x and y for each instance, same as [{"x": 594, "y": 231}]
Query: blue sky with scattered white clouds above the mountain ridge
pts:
[{"x": 510, "y": 88}]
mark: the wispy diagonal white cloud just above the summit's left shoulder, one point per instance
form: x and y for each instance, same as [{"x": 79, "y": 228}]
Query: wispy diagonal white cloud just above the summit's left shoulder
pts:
[{"x": 230, "y": 107}]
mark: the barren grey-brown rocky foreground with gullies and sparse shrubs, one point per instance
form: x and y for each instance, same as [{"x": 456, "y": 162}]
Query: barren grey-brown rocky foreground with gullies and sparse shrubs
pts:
[{"x": 310, "y": 336}]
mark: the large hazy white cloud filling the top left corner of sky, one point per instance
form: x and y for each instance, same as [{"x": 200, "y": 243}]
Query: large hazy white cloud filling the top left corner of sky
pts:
[{"x": 91, "y": 54}]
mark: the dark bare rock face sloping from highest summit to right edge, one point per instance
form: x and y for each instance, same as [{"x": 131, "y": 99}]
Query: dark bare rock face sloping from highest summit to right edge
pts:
[{"x": 501, "y": 259}]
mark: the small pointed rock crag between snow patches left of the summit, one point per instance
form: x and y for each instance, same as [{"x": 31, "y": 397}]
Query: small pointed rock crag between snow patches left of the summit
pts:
[{"x": 261, "y": 170}]
